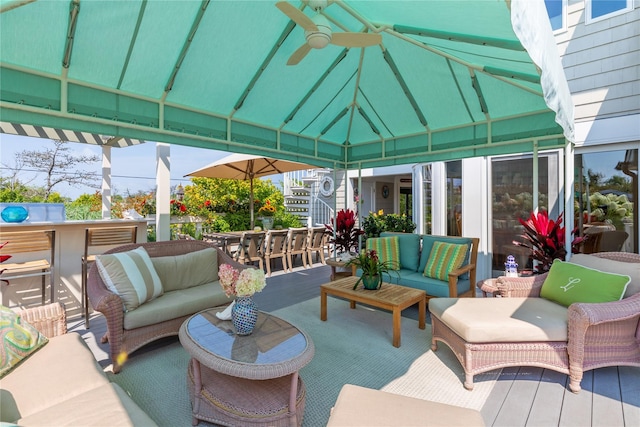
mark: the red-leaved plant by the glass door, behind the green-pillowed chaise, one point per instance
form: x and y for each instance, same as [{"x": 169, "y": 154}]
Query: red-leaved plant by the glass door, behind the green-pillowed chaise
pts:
[{"x": 545, "y": 238}]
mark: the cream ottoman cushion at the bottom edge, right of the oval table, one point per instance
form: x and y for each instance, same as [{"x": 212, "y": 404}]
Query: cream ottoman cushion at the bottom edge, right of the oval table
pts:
[{"x": 359, "y": 406}]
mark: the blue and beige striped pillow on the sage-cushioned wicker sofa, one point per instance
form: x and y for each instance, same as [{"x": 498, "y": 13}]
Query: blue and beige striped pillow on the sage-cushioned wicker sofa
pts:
[{"x": 130, "y": 275}]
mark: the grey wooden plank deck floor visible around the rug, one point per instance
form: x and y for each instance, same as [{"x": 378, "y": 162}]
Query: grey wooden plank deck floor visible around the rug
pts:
[{"x": 522, "y": 396}]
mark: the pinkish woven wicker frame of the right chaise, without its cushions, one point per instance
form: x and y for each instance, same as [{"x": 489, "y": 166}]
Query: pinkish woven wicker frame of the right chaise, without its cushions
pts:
[{"x": 599, "y": 335}]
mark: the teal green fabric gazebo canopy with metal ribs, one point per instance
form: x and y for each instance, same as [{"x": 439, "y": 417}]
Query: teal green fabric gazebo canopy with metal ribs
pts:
[{"x": 450, "y": 79}]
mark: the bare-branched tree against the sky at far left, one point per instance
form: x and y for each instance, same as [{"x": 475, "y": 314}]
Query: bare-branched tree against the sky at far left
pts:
[{"x": 59, "y": 165}]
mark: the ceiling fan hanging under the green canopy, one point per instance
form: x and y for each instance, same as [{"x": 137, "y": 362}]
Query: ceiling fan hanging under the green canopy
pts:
[{"x": 317, "y": 31}]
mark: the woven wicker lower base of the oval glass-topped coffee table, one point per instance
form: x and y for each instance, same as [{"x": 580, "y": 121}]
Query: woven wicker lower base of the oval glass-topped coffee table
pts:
[{"x": 233, "y": 401}]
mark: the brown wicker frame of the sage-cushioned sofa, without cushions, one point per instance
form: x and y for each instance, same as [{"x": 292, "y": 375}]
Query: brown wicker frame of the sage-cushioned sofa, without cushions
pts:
[{"x": 111, "y": 306}]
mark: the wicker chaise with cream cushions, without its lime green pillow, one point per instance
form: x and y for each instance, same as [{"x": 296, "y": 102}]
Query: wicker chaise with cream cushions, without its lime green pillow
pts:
[{"x": 522, "y": 329}]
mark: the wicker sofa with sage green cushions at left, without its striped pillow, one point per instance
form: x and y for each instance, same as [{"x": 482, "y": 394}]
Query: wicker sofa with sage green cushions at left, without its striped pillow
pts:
[{"x": 176, "y": 264}]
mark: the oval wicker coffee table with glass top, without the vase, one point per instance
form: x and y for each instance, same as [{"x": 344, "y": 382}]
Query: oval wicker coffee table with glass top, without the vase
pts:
[{"x": 245, "y": 380}]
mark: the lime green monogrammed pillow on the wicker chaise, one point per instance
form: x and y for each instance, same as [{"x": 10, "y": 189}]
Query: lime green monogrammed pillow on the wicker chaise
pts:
[{"x": 568, "y": 283}]
